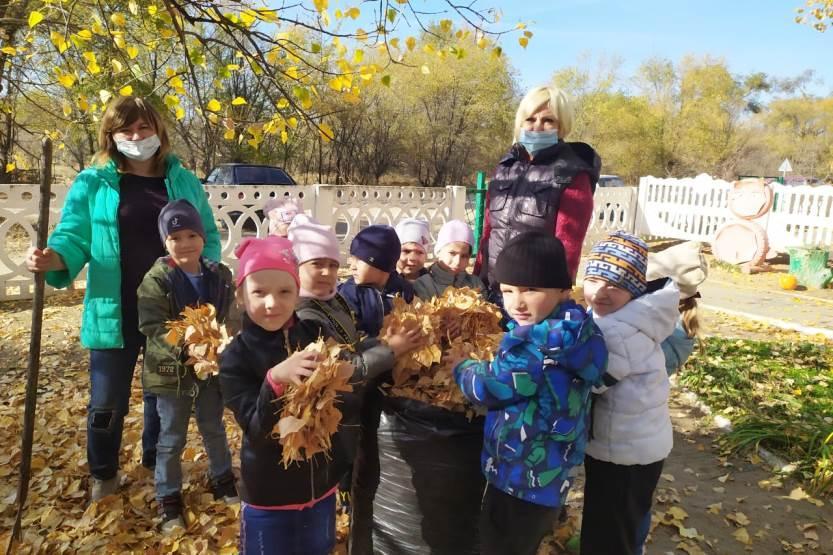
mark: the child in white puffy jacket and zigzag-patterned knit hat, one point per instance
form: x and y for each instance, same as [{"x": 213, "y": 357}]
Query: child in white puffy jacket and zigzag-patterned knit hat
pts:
[{"x": 631, "y": 434}]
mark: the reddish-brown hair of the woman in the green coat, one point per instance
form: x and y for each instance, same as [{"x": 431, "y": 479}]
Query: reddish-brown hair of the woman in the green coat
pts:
[{"x": 124, "y": 111}]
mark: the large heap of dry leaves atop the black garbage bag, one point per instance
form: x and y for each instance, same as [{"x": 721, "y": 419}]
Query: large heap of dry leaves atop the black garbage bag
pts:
[{"x": 427, "y": 374}]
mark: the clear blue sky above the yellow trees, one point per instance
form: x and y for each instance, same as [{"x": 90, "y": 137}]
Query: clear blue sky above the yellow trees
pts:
[{"x": 750, "y": 36}]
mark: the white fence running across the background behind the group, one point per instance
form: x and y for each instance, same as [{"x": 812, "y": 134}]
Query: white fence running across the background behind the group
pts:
[{"x": 692, "y": 208}]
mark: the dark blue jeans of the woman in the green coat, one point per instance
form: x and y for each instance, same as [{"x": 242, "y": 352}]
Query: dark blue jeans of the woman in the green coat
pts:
[{"x": 111, "y": 376}]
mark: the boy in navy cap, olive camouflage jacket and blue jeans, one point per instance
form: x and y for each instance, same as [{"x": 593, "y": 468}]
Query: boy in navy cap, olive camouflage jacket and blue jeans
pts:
[{"x": 183, "y": 278}]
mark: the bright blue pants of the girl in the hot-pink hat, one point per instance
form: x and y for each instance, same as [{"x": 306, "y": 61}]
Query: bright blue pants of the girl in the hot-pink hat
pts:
[{"x": 309, "y": 531}]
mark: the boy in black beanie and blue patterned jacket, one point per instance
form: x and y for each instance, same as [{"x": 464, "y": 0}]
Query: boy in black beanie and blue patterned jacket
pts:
[{"x": 537, "y": 392}]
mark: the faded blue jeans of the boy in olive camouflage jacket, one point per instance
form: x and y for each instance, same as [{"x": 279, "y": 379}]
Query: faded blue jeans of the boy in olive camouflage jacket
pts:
[{"x": 174, "y": 415}]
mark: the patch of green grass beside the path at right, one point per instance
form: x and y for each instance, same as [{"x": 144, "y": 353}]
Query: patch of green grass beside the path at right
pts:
[{"x": 778, "y": 395}]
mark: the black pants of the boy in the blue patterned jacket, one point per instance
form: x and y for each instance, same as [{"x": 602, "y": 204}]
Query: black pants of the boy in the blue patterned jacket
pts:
[{"x": 512, "y": 526}]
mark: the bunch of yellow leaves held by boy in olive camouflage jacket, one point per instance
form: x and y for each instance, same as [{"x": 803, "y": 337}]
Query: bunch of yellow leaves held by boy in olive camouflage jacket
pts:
[{"x": 202, "y": 338}]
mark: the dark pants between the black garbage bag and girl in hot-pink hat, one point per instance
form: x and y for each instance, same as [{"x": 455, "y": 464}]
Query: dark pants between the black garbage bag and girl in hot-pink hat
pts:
[{"x": 366, "y": 474}]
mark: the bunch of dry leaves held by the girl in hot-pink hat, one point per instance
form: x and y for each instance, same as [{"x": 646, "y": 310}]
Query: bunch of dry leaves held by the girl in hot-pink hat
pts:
[{"x": 309, "y": 416}]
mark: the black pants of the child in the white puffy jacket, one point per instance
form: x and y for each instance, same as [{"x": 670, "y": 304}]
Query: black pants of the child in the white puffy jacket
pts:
[{"x": 617, "y": 499}]
